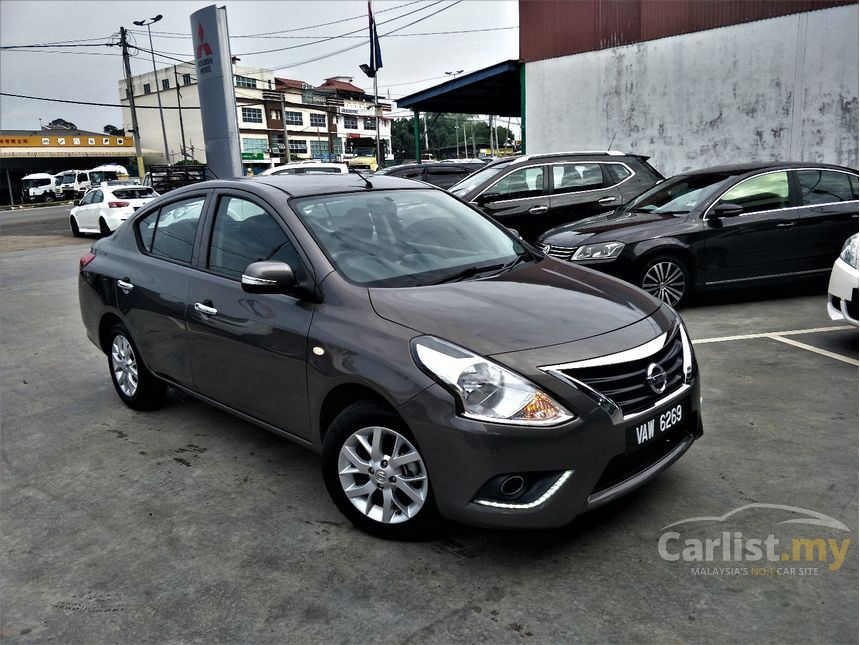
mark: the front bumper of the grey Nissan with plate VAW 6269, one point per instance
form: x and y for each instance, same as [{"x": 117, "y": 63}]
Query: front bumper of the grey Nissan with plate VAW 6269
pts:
[{"x": 577, "y": 466}]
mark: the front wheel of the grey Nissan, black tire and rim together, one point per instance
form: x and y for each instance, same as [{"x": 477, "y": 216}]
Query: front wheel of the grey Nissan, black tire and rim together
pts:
[{"x": 375, "y": 474}]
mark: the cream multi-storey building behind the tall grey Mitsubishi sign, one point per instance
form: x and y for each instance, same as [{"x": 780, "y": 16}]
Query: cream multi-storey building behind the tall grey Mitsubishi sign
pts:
[{"x": 322, "y": 122}]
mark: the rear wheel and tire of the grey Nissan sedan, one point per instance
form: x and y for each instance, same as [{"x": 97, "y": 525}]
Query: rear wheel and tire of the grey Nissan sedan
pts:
[{"x": 134, "y": 384}]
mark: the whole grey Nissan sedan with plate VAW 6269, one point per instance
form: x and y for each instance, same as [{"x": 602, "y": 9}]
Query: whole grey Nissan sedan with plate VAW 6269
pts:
[{"x": 442, "y": 367}]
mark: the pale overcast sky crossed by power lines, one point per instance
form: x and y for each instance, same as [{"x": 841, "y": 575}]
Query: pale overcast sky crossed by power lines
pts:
[{"x": 91, "y": 73}]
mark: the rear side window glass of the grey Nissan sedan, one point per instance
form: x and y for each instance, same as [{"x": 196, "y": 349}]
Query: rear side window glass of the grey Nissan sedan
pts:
[{"x": 170, "y": 231}]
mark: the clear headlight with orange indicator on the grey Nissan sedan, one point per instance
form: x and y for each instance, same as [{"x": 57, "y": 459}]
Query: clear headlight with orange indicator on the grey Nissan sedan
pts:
[{"x": 486, "y": 391}]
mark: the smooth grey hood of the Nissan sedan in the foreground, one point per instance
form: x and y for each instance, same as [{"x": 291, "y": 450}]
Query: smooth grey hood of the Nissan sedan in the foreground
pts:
[{"x": 534, "y": 305}]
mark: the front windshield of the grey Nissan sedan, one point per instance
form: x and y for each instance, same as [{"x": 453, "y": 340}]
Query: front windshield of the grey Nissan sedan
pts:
[{"x": 397, "y": 238}]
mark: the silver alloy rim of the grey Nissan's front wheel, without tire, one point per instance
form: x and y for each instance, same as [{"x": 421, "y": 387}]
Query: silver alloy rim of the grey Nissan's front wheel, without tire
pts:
[{"x": 382, "y": 475}]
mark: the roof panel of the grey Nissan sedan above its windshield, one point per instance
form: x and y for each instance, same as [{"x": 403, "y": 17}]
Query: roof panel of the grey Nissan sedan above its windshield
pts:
[{"x": 304, "y": 185}]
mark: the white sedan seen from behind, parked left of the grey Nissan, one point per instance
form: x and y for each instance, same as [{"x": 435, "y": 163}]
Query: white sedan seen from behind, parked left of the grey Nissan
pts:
[{"x": 103, "y": 209}]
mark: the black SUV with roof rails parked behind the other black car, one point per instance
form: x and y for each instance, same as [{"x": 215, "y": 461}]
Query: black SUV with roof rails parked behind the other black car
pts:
[{"x": 534, "y": 193}]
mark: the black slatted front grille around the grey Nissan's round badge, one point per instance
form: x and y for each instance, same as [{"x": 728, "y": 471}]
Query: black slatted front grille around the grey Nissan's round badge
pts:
[{"x": 626, "y": 384}]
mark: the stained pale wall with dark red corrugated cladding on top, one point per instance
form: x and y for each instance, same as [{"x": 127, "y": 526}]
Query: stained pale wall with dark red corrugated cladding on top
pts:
[{"x": 693, "y": 83}]
